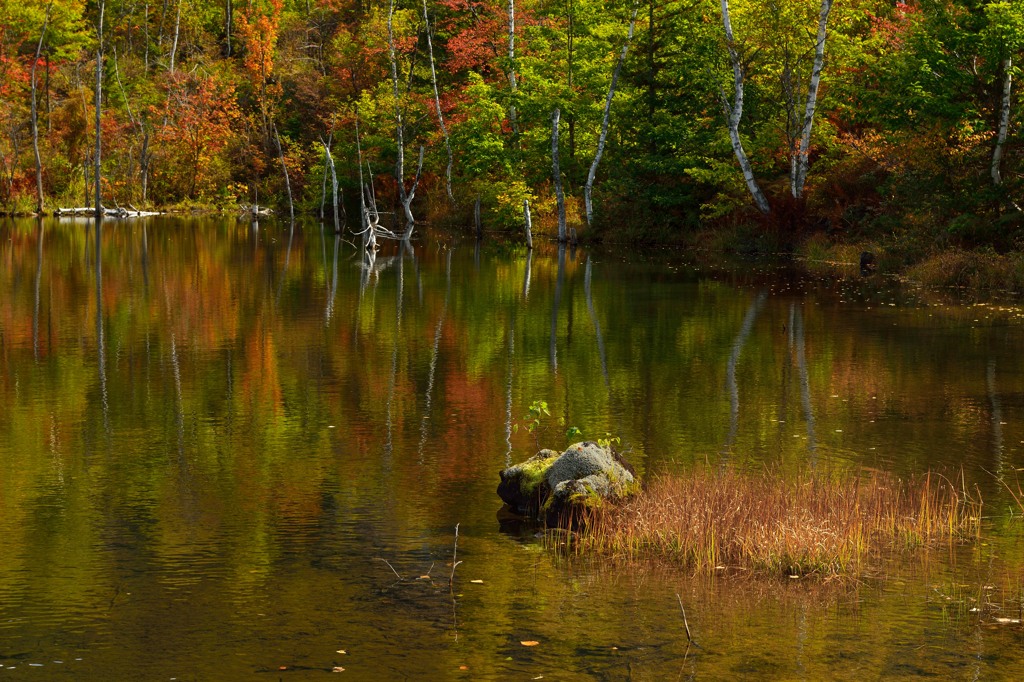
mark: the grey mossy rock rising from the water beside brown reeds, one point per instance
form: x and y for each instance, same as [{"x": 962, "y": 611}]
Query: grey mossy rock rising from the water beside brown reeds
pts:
[{"x": 550, "y": 485}]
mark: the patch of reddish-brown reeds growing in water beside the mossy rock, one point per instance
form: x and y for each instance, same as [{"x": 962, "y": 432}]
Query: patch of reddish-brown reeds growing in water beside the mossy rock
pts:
[{"x": 813, "y": 525}]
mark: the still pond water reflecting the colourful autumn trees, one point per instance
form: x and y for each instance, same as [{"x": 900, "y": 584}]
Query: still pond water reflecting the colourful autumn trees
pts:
[{"x": 234, "y": 453}]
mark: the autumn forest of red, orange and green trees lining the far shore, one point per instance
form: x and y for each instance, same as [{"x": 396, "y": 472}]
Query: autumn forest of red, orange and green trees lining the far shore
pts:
[{"x": 861, "y": 118}]
